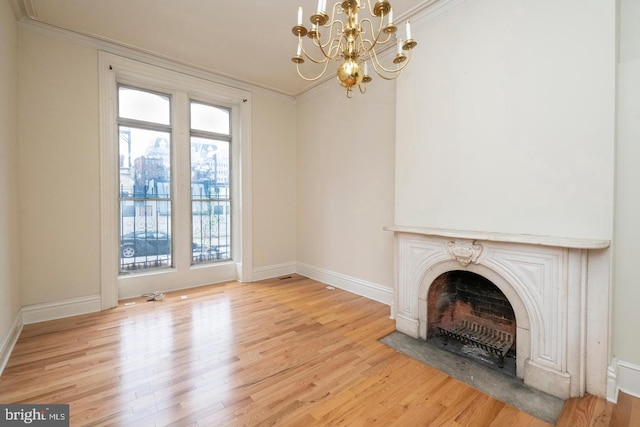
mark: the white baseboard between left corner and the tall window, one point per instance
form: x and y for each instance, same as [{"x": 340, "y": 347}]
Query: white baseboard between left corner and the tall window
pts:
[{"x": 58, "y": 309}]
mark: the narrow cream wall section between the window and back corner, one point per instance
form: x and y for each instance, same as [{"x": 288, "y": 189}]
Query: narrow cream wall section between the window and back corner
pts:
[{"x": 274, "y": 181}]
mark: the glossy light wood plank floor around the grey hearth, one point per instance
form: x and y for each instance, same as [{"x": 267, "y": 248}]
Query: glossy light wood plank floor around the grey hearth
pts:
[{"x": 278, "y": 352}]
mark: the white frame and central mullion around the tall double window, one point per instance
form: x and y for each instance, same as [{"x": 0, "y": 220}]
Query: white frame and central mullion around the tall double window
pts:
[{"x": 114, "y": 70}]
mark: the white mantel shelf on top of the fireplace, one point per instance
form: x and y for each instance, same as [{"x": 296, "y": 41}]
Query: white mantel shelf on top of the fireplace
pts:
[{"x": 561, "y": 242}]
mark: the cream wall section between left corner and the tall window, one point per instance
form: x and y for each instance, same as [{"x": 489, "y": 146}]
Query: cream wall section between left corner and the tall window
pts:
[{"x": 59, "y": 169}]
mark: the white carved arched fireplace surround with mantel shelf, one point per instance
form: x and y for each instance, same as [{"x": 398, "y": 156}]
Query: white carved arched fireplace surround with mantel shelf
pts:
[{"x": 558, "y": 289}]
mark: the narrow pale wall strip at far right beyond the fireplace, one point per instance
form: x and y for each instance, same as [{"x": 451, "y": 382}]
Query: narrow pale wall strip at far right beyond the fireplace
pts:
[{"x": 627, "y": 231}]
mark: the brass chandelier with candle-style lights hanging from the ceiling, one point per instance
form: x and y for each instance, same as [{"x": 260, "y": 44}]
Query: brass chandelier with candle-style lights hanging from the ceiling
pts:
[{"x": 354, "y": 42}]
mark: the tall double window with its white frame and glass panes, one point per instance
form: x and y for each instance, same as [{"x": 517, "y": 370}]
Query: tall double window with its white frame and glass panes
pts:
[{"x": 175, "y": 174}]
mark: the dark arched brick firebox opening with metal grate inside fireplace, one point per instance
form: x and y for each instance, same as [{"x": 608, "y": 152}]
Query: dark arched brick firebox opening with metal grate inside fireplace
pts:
[{"x": 469, "y": 315}]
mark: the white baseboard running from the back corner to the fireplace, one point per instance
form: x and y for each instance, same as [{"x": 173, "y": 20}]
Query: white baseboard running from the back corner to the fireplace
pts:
[{"x": 360, "y": 287}]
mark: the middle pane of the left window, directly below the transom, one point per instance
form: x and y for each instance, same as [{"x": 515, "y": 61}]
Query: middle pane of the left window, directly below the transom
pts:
[{"x": 145, "y": 163}]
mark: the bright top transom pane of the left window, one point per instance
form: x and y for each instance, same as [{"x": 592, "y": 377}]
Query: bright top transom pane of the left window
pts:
[{"x": 141, "y": 105}]
